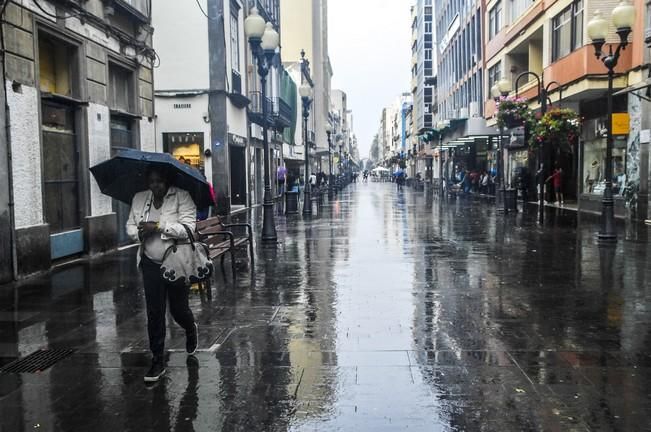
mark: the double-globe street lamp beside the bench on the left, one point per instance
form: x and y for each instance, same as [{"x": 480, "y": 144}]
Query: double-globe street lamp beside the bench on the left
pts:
[{"x": 264, "y": 41}]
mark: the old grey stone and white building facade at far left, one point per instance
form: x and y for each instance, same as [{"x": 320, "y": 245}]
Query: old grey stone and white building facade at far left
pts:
[{"x": 78, "y": 88}]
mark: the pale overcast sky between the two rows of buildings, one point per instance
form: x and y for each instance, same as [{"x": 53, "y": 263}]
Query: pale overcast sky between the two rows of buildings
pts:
[{"x": 370, "y": 51}]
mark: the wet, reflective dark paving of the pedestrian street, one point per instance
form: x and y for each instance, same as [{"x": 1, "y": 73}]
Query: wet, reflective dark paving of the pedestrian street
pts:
[{"x": 387, "y": 312}]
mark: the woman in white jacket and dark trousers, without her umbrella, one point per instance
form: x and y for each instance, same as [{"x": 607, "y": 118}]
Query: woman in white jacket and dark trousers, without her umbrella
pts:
[{"x": 159, "y": 216}]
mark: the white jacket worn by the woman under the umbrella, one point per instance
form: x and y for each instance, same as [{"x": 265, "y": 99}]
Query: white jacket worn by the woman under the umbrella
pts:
[{"x": 178, "y": 210}]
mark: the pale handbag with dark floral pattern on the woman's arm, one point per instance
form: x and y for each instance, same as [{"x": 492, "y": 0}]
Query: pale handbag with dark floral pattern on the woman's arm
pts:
[{"x": 186, "y": 261}]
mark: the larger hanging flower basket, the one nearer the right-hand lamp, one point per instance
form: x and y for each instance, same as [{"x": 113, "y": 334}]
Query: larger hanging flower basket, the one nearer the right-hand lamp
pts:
[{"x": 560, "y": 127}]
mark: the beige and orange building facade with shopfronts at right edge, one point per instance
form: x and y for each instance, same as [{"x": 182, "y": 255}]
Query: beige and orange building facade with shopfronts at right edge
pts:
[{"x": 550, "y": 39}]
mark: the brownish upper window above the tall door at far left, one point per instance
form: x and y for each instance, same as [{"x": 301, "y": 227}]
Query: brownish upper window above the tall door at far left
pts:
[{"x": 57, "y": 71}]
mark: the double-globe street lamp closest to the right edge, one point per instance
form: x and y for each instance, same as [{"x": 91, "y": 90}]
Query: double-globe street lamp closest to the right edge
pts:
[{"x": 623, "y": 17}]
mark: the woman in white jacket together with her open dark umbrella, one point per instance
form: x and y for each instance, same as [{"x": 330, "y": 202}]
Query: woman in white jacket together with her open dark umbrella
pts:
[{"x": 164, "y": 195}]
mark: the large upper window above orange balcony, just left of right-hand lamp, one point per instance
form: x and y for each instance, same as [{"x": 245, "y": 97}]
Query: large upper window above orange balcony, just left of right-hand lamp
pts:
[{"x": 567, "y": 30}]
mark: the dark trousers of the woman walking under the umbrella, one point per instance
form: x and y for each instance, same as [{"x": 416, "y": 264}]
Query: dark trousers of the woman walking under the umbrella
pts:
[{"x": 157, "y": 293}]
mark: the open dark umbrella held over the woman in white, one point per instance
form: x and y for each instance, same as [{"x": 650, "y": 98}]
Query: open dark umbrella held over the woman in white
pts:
[{"x": 124, "y": 175}]
